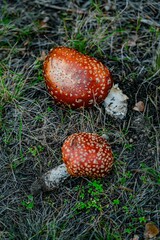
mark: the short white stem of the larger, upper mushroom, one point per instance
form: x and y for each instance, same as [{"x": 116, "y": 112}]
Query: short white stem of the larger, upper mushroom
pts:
[{"x": 116, "y": 103}]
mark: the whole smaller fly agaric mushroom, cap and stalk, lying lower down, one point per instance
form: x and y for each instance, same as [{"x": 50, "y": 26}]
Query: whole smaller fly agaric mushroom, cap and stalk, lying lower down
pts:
[{"x": 83, "y": 154}]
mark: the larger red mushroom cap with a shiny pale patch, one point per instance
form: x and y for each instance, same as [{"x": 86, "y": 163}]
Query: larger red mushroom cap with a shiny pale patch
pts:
[{"x": 75, "y": 79}]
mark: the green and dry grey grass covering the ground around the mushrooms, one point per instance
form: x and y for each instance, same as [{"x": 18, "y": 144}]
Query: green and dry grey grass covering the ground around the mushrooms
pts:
[{"x": 33, "y": 128}]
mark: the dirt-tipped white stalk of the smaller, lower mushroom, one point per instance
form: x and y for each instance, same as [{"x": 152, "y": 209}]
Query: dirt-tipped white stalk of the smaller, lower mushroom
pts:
[{"x": 50, "y": 180}]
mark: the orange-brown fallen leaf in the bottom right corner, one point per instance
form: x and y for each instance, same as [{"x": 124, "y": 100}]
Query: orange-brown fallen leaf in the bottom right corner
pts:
[{"x": 151, "y": 231}]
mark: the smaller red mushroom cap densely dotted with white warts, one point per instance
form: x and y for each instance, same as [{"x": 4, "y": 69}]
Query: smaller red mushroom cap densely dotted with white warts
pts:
[{"x": 87, "y": 154}]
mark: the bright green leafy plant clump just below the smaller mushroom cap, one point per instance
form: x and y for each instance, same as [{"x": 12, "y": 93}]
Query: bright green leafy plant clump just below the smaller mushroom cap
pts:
[{"x": 89, "y": 196}]
